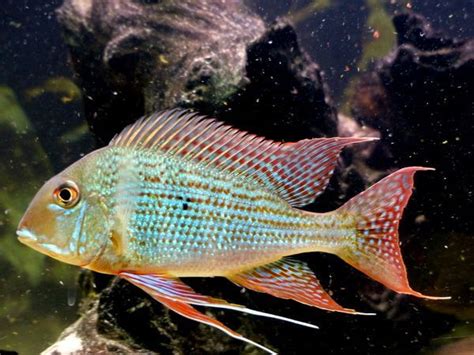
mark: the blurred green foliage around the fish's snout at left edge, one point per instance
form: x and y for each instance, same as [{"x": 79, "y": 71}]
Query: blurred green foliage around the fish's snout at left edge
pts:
[{"x": 29, "y": 279}]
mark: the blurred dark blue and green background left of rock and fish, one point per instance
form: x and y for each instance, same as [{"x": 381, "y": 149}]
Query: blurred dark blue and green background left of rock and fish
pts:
[{"x": 41, "y": 132}]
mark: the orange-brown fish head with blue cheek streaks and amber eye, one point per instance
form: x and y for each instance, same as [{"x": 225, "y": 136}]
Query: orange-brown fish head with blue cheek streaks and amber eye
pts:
[{"x": 65, "y": 220}]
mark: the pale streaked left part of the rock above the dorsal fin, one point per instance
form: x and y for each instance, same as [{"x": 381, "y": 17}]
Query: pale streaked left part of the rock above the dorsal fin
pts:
[{"x": 135, "y": 57}]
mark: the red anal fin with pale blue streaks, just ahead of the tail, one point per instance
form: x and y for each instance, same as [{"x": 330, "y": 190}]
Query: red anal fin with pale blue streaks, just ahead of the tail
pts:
[{"x": 289, "y": 279}]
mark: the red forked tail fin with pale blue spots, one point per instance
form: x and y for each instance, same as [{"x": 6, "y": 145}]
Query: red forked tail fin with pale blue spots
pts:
[{"x": 377, "y": 211}]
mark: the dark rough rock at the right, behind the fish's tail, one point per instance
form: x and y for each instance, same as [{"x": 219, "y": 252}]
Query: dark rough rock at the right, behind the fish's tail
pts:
[{"x": 420, "y": 98}]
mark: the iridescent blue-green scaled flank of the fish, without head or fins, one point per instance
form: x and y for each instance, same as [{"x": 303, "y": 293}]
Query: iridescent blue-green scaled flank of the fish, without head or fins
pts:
[{"x": 190, "y": 220}]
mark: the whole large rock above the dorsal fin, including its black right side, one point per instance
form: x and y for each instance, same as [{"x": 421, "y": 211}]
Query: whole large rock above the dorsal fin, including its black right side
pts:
[{"x": 135, "y": 57}]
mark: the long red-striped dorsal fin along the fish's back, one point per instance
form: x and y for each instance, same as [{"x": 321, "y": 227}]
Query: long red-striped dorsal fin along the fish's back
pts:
[{"x": 297, "y": 172}]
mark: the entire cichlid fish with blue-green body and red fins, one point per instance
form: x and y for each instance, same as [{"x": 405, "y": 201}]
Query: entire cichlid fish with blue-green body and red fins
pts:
[{"x": 180, "y": 195}]
